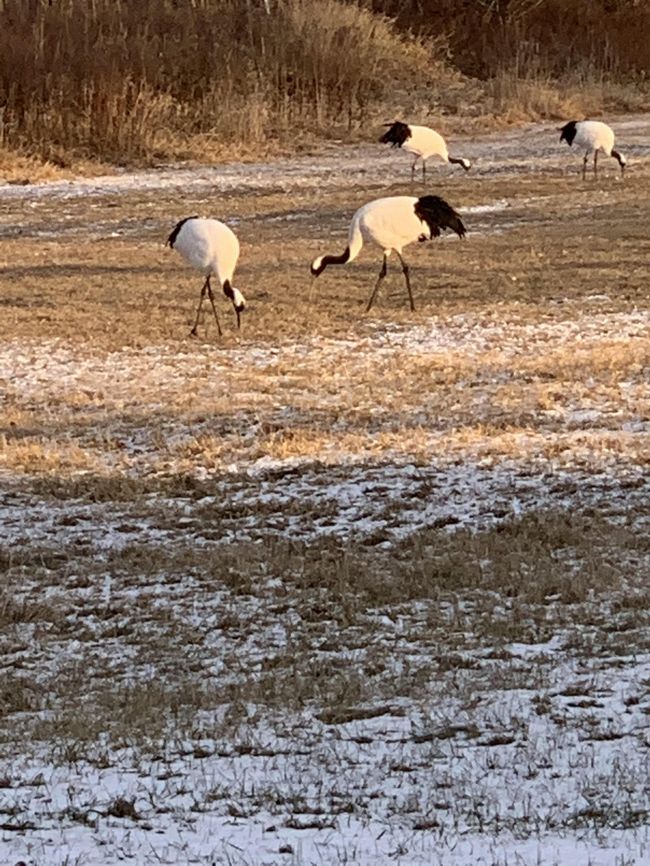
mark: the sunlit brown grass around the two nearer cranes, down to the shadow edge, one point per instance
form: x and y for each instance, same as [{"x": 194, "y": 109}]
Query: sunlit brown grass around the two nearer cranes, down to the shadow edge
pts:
[{"x": 95, "y": 295}]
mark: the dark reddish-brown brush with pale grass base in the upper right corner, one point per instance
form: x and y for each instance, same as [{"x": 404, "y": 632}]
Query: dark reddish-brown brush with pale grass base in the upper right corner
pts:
[{"x": 541, "y": 58}]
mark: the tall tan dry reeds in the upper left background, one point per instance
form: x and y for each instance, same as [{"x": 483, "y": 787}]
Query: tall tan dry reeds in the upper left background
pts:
[{"x": 124, "y": 79}]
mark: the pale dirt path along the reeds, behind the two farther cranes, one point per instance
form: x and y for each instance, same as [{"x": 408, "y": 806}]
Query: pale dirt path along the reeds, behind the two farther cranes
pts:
[{"x": 533, "y": 148}]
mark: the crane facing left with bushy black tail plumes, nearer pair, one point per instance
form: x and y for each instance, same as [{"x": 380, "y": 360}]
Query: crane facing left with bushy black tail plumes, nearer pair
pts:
[{"x": 392, "y": 223}]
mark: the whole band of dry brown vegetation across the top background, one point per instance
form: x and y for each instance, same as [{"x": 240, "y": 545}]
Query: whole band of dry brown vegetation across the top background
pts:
[{"x": 123, "y": 82}]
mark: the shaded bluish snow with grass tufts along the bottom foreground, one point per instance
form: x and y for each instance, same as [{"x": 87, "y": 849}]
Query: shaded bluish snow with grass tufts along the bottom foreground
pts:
[{"x": 518, "y": 782}]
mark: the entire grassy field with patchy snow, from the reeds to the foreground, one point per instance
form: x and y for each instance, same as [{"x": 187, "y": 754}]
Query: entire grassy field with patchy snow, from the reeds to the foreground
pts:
[{"x": 340, "y": 588}]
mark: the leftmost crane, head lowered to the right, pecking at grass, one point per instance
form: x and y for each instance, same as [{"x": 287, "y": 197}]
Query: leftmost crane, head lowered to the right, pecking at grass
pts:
[{"x": 213, "y": 248}]
